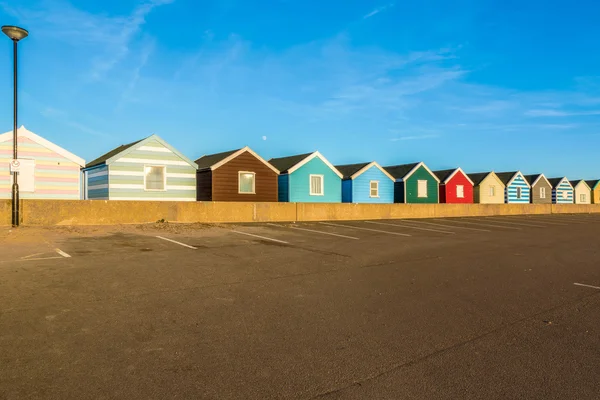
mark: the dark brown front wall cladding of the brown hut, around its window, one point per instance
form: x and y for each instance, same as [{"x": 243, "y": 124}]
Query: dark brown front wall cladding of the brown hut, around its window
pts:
[{"x": 225, "y": 181}]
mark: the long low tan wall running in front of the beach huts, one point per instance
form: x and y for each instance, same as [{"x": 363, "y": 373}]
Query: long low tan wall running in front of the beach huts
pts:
[{"x": 100, "y": 212}]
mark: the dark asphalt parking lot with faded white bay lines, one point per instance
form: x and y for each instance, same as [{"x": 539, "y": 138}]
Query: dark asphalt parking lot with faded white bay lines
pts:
[{"x": 469, "y": 308}]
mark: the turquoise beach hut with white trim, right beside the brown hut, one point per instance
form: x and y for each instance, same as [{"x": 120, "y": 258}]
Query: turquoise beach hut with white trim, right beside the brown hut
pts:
[{"x": 308, "y": 178}]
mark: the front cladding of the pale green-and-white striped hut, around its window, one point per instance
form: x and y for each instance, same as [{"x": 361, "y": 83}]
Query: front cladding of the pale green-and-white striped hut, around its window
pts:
[{"x": 126, "y": 175}]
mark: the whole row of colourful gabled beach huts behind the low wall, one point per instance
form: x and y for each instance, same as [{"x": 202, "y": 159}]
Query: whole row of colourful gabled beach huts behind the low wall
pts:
[{"x": 151, "y": 169}]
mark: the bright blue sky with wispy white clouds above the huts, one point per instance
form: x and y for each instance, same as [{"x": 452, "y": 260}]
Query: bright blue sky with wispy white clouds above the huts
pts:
[{"x": 485, "y": 85}]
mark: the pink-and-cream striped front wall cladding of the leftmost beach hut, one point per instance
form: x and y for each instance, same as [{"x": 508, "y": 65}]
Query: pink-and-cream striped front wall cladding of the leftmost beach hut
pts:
[{"x": 55, "y": 177}]
